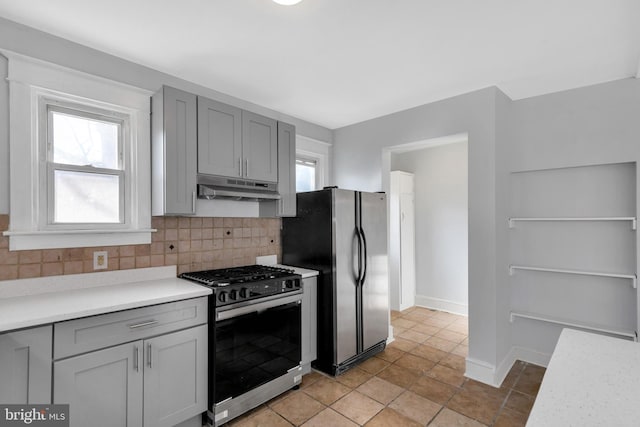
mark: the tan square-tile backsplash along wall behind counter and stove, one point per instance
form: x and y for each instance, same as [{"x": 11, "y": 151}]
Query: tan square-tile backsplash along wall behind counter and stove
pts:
[{"x": 190, "y": 243}]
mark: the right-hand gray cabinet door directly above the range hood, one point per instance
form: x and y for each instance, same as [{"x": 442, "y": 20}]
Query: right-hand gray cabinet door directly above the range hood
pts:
[{"x": 259, "y": 147}]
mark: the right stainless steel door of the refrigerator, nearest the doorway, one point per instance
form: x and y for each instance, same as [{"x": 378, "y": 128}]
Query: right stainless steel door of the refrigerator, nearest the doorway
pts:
[{"x": 375, "y": 289}]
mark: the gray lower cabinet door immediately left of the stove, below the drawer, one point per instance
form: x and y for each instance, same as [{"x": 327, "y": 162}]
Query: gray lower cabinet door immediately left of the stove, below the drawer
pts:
[{"x": 175, "y": 377}]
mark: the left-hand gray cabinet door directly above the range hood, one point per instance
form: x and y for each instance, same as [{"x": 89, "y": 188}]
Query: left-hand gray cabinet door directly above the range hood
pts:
[{"x": 219, "y": 138}]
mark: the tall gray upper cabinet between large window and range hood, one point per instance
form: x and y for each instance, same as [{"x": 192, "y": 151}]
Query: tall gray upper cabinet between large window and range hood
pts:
[{"x": 174, "y": 152}]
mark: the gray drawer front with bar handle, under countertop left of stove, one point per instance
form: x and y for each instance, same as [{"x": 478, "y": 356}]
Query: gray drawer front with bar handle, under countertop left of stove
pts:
[{"x": 92, "y": 333}]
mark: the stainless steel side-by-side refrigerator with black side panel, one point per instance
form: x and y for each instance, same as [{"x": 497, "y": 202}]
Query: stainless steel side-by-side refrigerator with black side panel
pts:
[{"x": 343, "y": 235}]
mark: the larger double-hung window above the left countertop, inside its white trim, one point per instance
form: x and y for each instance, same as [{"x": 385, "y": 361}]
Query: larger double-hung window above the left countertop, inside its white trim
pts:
[{"x": 86, "y": 168}]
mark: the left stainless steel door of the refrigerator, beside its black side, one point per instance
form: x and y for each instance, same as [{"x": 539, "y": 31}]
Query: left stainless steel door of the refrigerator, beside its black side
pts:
[{"x": 345, "y": 271}]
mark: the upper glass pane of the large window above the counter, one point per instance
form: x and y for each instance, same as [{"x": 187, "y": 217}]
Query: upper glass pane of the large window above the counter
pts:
[{"x": 85, "y": 141}]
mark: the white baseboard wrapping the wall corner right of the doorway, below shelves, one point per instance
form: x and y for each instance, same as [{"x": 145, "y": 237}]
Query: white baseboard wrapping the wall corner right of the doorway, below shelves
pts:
[{"x": 489, "y": 374}]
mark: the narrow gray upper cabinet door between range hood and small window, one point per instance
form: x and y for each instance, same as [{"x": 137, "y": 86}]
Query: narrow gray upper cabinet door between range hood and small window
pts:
[{"x": 286, "y": 169}]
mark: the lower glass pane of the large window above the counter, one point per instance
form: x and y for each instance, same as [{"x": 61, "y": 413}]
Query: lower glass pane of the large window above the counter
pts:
[{"x": 81, "y": 197}]
